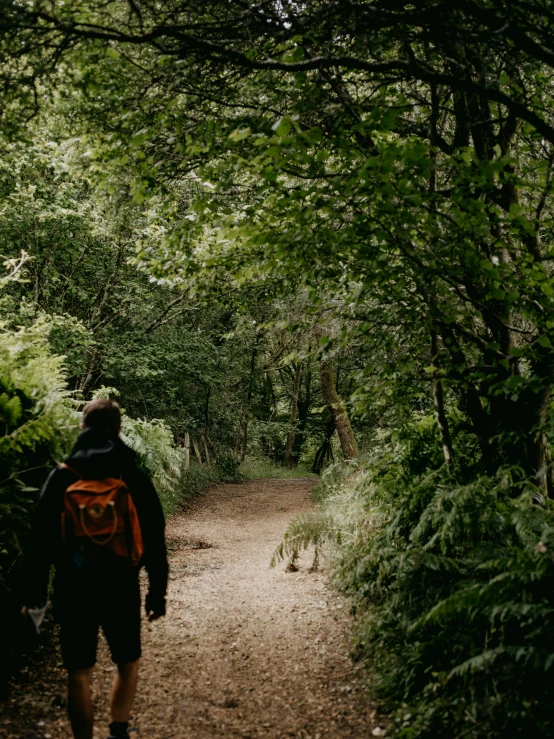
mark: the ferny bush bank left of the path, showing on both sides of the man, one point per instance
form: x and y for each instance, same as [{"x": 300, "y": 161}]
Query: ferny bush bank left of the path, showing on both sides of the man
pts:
[{"x": 39, "y": 425}]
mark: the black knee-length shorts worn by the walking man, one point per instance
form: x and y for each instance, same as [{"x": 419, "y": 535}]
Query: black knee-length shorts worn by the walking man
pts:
[{"x": 102, "y": 598}]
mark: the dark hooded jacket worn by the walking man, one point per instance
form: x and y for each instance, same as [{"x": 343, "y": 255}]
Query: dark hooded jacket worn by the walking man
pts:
[{"x": 96, "y": 455}]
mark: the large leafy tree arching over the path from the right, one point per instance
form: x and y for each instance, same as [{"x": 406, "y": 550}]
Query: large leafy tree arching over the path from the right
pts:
[{"x": 406, "y": 163}]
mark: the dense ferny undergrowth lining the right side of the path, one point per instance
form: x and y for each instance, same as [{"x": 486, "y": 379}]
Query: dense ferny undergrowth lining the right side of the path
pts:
[{"x": 453, "y": 585}]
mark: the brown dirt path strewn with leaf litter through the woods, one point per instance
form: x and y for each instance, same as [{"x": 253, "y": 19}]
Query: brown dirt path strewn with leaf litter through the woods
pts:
[{"x": 245, "y": 651}]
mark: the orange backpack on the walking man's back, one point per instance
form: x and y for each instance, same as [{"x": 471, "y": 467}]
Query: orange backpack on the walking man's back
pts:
[{"x": 102, "y": 513}]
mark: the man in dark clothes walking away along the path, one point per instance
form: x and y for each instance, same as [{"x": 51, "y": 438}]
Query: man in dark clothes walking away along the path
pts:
[{"x": 93, "y": 587}]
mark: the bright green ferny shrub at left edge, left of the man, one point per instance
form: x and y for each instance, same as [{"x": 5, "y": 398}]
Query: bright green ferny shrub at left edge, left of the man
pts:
[{"x": 38, "y": 424}]
